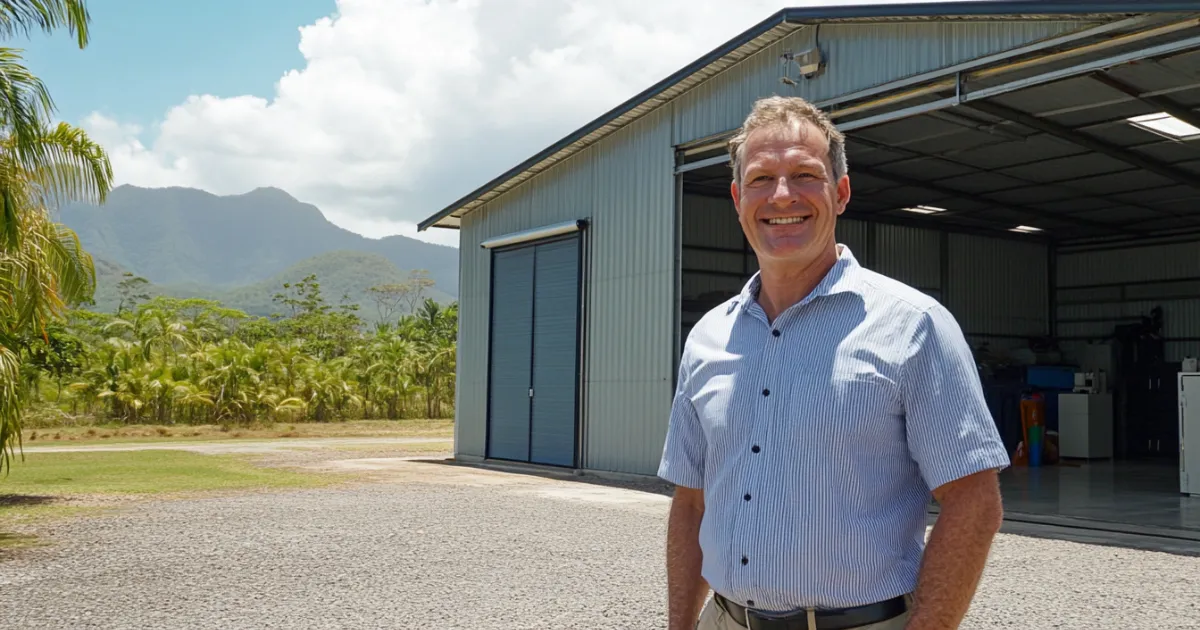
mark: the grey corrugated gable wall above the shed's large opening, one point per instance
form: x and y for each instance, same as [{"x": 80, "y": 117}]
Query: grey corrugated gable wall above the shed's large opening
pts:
[{"x": 860, "y": 57}]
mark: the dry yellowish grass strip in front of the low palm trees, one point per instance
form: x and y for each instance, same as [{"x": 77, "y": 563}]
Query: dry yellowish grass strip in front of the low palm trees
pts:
[{"x": 151, "y": 434}]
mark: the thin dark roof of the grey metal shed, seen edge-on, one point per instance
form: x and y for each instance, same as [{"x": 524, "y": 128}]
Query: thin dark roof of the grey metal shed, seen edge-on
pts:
[{"x": 769, "y": 32}]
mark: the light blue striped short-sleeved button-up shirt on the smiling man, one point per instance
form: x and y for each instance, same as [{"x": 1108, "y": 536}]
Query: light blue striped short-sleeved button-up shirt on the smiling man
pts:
[{"x": 818, "y": 440}]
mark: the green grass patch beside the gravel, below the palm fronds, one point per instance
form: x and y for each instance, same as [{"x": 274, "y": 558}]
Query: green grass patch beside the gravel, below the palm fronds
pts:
[{"x": 63, "y": 484}]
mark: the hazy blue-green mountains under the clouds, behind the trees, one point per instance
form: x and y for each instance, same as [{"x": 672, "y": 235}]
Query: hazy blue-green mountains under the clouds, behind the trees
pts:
[{"x": 241, "y": 249}]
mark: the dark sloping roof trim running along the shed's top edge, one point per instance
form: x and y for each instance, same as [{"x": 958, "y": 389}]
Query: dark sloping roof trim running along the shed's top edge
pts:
[{"x": 788, "y": 21}]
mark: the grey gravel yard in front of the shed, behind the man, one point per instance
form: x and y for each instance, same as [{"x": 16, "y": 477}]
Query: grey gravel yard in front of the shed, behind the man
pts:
[{"x": 439, "y": 547}]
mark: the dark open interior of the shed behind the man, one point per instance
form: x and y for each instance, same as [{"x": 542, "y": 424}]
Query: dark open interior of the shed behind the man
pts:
[{"x": 1057, "y": 213}]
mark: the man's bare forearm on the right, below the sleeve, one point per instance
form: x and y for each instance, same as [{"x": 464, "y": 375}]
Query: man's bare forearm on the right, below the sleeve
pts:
[{"x": 971, "y": 514}]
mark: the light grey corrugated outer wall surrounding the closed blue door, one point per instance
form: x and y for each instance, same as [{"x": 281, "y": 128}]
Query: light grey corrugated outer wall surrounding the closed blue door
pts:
[{"x": 626, "y": 187}]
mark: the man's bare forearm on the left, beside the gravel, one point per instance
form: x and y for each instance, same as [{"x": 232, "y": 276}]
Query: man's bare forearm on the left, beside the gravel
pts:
[{"x": 686, "y": 587}]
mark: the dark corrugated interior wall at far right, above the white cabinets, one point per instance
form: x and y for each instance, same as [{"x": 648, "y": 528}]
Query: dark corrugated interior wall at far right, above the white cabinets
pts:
[{"x": 1101, "y": 290}]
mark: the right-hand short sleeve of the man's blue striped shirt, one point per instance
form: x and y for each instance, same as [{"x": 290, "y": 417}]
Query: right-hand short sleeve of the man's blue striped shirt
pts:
[{"x": 950, "y": 429}]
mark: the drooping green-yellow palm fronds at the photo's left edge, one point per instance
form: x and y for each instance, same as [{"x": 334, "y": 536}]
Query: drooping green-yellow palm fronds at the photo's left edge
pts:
[{"x": 44, "y": 269}]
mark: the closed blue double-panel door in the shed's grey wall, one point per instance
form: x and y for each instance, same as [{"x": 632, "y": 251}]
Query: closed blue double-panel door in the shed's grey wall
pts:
[{"x": 536, "y": 301}]
